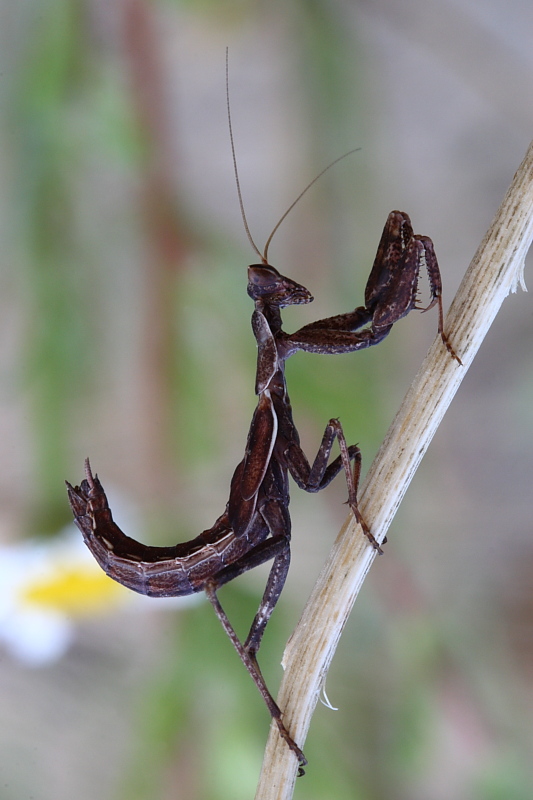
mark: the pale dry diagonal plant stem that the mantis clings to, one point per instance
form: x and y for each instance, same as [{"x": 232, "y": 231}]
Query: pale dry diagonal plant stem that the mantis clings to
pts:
[{"x": 496, "y": 269}]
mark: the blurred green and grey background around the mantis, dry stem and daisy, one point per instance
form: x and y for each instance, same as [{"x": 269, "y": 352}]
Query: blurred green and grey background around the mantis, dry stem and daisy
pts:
[{"x": 126, "y": 337}]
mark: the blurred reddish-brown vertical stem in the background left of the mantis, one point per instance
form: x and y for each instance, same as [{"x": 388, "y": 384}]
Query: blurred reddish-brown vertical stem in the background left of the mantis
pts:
[{"x": 165, "y": 249}]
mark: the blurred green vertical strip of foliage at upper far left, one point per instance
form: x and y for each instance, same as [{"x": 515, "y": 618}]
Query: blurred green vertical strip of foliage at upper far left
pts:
[{"x": 52, "y": 80}]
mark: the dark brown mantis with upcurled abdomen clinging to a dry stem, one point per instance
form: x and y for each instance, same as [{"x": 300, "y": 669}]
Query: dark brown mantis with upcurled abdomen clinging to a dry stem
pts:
[{"x": 255, "y": 526}]
